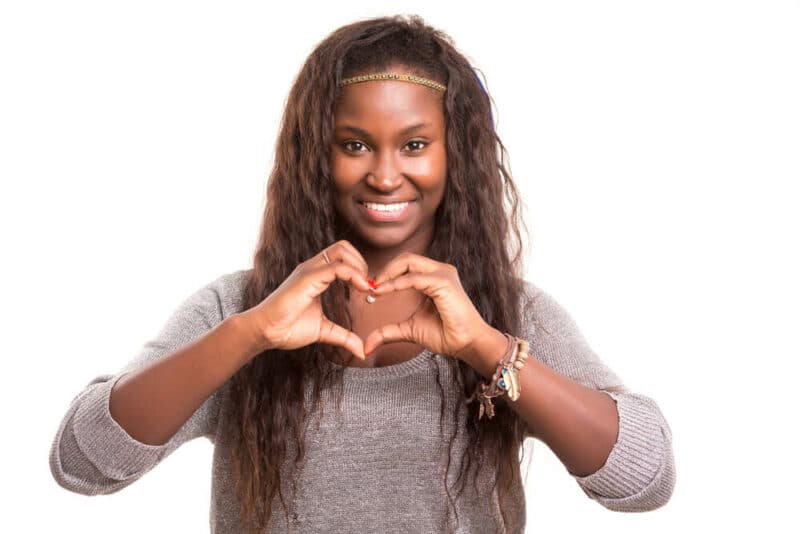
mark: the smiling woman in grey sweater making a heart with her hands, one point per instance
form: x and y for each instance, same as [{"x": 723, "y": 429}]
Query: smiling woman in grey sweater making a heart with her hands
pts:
[{"x": 369, "y": 372}]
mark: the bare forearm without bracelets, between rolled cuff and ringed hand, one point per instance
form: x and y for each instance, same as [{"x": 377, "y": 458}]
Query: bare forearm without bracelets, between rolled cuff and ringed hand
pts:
[{"x": 153, "y": 402}]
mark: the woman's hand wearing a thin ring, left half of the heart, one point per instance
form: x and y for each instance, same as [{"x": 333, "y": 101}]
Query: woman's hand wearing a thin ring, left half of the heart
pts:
[{"x": 291, "y": 316}]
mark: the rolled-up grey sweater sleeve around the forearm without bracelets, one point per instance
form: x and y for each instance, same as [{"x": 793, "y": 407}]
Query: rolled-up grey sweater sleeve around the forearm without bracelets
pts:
[{"x": 91, "y": 453}]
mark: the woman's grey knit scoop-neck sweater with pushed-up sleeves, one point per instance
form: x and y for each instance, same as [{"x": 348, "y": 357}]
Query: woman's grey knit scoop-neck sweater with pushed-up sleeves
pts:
[{"x": 392, "y": 413}]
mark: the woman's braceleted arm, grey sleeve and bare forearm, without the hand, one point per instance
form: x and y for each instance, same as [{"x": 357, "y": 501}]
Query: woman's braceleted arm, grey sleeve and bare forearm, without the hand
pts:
[{"x": 615, "y": 443}]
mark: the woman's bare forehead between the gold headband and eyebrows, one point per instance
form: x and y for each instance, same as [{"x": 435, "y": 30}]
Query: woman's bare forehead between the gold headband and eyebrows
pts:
[{"x": 389, "y": 100}]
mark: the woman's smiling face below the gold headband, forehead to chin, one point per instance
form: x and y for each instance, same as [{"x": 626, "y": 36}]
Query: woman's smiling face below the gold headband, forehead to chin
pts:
[{"x": 389, "y": 148}]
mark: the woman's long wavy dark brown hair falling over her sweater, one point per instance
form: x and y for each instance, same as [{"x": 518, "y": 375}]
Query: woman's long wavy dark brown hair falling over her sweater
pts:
[{"x": 269, "y": 408}]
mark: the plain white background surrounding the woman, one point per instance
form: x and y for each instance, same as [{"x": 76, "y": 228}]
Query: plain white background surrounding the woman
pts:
[{"x": 655, "y": 144}]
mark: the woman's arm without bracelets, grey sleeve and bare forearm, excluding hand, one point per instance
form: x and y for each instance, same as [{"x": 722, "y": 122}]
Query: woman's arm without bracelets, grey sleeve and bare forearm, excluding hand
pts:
[{"x": 120, "y": 426}]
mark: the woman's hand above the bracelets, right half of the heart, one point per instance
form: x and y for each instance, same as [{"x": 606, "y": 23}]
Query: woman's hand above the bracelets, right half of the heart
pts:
[{"x": 447, "y": 322}]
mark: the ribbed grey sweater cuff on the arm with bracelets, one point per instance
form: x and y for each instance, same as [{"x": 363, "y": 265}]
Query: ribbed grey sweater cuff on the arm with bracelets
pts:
[{"x": 638, "y": 454}]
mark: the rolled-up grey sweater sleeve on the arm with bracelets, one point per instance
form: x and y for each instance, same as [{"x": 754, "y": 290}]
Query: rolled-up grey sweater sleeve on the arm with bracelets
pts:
[{"x": 639, "y": 474}]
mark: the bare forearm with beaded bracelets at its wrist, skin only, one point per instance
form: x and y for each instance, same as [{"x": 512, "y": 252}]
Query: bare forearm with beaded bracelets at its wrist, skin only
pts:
[{"x": 579, "y": 424}]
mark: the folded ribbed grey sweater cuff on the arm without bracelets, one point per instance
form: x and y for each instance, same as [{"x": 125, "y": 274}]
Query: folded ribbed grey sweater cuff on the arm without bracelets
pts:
[{"x": 105, "y": 443}]
